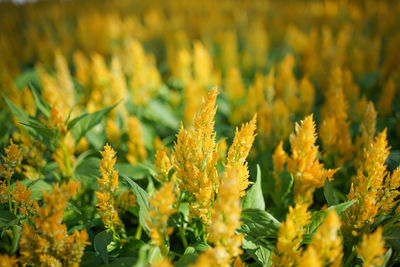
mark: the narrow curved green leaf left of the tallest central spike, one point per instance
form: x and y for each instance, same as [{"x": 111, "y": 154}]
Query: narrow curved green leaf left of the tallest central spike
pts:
[{"x": 142, "y": 199}]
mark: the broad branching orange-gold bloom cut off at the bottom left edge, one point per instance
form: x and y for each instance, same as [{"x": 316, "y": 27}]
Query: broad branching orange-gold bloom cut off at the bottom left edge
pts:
[{"x": 47, "y": 242}]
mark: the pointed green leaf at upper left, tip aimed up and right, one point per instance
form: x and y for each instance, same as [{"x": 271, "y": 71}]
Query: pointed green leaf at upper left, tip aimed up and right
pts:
[{"x": 81, "y": 125}]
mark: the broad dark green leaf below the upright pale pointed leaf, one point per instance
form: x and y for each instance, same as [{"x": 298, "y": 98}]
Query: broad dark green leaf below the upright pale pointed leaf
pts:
[{"x": 259, "y": 223}]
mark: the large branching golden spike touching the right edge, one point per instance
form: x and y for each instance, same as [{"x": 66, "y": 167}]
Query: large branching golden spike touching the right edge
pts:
[{"x": 373, "y": 187}]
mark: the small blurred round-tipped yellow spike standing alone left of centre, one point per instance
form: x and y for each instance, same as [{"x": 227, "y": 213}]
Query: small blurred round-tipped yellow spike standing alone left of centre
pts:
[{"x": 136, "y": 150}]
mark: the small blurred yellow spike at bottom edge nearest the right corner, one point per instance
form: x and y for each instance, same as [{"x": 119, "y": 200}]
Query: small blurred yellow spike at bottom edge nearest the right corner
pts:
[{"x": 372, "y": 249}]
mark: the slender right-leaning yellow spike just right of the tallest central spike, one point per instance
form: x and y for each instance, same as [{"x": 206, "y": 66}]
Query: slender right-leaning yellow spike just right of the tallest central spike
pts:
[{"x": 239, "y": 150}]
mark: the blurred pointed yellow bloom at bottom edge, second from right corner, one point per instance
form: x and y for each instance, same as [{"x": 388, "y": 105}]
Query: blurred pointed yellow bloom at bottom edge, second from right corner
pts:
[{"x": 327, "y": 241}]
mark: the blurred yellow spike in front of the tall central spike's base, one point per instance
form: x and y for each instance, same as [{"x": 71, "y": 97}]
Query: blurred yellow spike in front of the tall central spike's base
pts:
[{"x": 225, "y": 215}]
